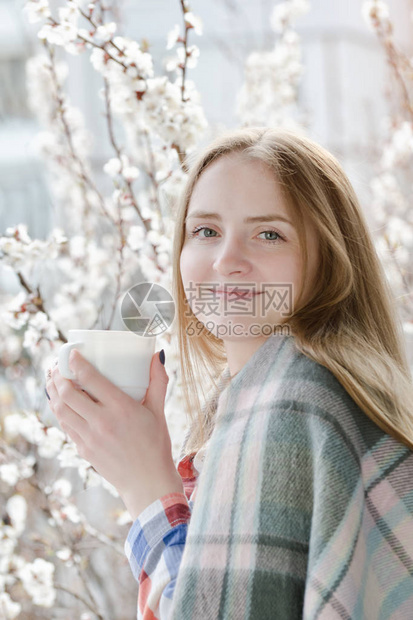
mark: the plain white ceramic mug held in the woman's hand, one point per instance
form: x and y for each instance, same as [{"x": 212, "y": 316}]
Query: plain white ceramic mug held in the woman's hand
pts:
[{"x": 123, "y": 357}]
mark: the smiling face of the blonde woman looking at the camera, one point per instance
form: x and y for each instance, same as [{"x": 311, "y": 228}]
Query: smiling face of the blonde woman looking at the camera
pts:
[{"x": 240, "y": 263}]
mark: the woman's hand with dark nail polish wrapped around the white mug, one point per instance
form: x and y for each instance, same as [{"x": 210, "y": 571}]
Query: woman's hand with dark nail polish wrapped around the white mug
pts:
[{"x": 128, "y": 443}]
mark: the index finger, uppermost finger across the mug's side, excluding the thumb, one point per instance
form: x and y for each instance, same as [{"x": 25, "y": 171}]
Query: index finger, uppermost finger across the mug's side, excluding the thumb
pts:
[{"x": 96, "y": 384}]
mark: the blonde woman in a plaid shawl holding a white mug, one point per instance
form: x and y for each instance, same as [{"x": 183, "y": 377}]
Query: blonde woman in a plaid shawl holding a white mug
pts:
[{"x": 301, "y": 462}]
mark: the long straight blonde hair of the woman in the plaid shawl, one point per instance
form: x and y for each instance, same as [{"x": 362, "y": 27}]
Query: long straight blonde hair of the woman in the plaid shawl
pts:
[{"x": 349, "y": 323}]
